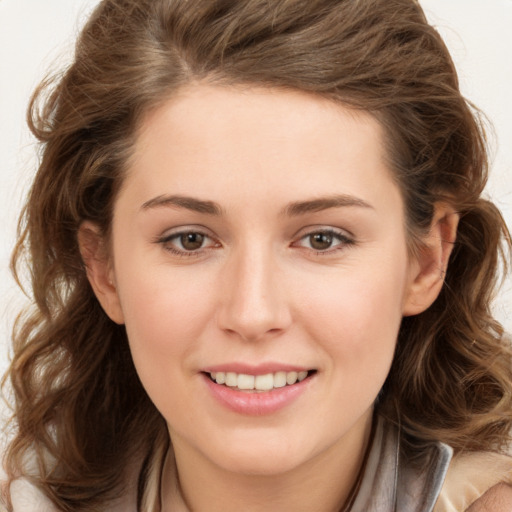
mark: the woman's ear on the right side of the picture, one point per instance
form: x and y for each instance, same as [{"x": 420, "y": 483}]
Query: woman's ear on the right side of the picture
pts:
[{"x": 428, "y": 265}]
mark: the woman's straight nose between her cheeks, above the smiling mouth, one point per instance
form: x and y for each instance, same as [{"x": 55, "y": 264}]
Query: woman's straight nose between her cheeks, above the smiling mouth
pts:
[{"x": 253, "y": 304}]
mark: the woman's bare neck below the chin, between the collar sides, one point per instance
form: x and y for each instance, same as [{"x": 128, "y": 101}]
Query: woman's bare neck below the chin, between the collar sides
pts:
[{"x": 324, "y": 483}]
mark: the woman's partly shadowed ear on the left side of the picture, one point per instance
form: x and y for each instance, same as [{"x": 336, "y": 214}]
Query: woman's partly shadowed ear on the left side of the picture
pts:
[{"x": 99, "y": 269}]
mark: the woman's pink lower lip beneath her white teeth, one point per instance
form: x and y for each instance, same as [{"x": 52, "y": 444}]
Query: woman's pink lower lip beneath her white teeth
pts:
[{"x": 256, "y": 403}]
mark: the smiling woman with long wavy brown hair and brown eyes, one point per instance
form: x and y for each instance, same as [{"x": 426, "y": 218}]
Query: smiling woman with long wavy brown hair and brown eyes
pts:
[{"x": 261, "y": 268}]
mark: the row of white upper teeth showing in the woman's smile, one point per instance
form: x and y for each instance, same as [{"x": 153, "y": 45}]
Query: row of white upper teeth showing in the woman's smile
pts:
[{"x": 259, "y": 382}]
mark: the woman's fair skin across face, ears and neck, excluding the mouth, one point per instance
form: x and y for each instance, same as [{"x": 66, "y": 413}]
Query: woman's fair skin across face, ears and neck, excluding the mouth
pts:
[{"x": 258, "y": 290}]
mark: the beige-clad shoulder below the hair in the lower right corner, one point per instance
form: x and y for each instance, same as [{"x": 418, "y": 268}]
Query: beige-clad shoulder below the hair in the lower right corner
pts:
[{"x": 476, "y": 482}]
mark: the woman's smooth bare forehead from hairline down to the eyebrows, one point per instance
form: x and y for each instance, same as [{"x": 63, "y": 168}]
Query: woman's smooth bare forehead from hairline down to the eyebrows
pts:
[{"x": 254, "y": 142}]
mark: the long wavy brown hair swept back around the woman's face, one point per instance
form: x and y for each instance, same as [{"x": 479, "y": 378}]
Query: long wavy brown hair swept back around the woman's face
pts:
[{"x": 80, "y": 410}]
